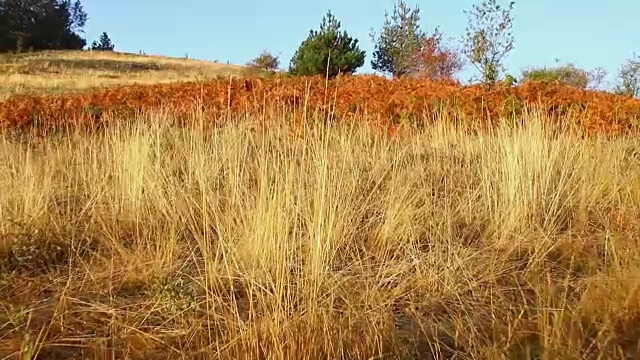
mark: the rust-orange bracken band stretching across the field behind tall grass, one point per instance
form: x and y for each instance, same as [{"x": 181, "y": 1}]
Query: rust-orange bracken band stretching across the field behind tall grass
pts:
[{"x": 382, "y": 100}]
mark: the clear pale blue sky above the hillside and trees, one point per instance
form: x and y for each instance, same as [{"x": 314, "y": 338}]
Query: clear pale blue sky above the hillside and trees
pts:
[{"x": 588, "y": 33}]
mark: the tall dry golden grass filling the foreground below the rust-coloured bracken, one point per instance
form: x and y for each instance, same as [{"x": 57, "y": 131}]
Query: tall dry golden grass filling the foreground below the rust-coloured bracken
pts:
[{"x": 149, "y": 241}]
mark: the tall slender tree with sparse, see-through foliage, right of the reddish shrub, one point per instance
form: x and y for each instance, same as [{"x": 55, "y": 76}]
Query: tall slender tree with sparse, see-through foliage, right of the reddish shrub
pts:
[{"x": 489, "y": 38}]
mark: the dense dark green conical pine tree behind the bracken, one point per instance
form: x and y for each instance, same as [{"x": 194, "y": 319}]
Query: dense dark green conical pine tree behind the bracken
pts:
[{"x": 327, "y": 51}]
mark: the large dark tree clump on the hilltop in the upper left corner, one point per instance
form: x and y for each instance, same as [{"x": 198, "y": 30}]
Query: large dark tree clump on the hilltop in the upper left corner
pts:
[{"x": 41, "y": 25}]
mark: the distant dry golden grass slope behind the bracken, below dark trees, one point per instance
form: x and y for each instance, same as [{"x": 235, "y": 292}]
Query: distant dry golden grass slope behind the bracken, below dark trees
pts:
[{"x": 68, "y": 71}]
